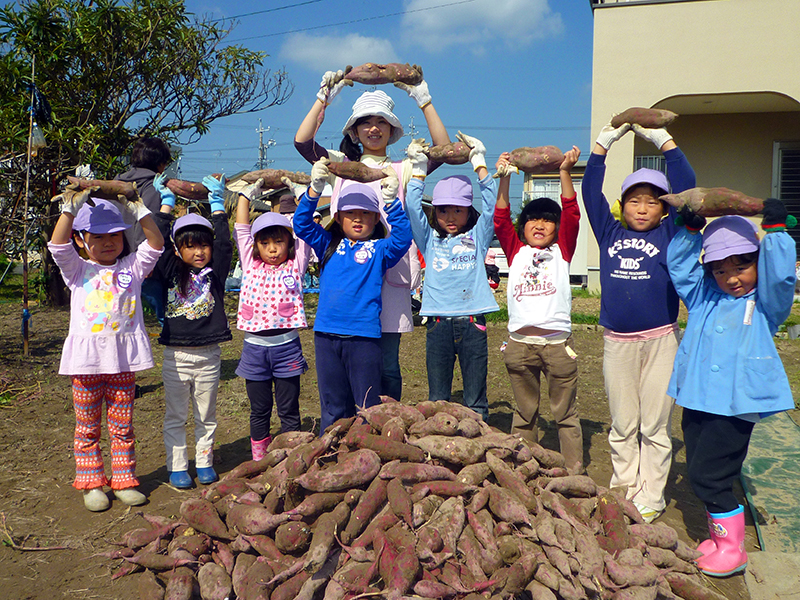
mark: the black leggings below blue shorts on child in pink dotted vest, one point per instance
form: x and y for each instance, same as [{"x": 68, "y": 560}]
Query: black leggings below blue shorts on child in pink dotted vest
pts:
[{"x": 287, "y": 404}]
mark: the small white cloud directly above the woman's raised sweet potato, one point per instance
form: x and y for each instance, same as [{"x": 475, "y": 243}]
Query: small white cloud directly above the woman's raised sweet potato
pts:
[{"x": 326, "y": 52}]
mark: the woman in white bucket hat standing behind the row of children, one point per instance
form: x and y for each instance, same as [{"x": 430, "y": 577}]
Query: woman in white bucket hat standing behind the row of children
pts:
[{"x": 368, "y": 132}]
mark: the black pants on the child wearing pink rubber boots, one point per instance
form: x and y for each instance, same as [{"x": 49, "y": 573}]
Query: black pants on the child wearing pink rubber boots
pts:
[{"x": 716, "y": 447}]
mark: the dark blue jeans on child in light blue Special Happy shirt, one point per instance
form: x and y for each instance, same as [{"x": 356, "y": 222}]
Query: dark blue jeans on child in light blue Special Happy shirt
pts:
[{"x": 465, "y": 337}]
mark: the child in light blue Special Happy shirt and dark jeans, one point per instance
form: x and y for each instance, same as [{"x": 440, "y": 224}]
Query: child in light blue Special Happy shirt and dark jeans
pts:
[{"x": 457, "y": 295}]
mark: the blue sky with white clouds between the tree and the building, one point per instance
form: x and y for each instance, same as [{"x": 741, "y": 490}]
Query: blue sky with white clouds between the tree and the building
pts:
[{"x": 510, "y": 72}]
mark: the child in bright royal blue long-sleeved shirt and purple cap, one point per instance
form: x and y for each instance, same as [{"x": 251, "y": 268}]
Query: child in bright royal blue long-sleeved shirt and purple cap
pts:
[{"x": 354, "y": 256}]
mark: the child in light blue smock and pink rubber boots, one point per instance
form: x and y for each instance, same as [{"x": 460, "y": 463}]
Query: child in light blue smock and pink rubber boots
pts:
[{"x": 728, "y": 375}]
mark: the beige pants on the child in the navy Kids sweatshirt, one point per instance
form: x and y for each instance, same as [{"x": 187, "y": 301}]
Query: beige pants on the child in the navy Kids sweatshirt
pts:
[{"x": 636, "y": 376}]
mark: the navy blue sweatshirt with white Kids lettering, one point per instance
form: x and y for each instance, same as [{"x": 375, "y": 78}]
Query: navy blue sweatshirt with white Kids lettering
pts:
[{"x": 637, "y": 294}]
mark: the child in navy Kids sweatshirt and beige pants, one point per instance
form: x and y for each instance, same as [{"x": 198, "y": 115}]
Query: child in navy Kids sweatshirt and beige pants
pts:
[{"x": 639, "y": 311}]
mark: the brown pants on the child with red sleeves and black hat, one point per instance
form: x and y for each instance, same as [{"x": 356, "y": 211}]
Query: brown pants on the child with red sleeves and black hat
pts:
[{"x": 525, "y": 364}]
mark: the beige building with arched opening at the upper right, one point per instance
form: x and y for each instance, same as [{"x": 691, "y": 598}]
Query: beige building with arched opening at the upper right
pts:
[{"x": 729, "y": 68}]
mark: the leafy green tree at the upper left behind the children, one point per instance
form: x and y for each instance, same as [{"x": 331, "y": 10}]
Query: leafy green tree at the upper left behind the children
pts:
[{"x": 112, "y": 72}]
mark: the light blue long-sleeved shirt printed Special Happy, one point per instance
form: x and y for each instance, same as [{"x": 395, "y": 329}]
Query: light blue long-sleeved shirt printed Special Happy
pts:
[{"x": 455, "y": 274}]
